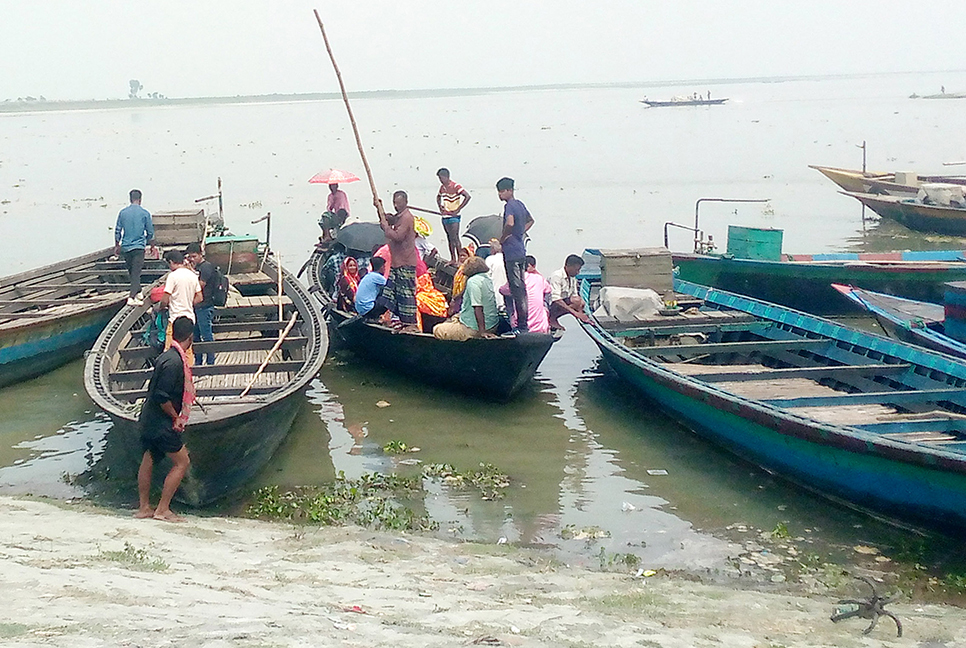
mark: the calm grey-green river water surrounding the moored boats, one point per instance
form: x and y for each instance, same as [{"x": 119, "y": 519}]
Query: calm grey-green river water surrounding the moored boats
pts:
[{"x": 596, "y": 169}]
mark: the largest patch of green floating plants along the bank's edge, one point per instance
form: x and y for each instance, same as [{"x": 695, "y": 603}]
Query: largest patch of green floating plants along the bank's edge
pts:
[{"x": 372, "y": 501}]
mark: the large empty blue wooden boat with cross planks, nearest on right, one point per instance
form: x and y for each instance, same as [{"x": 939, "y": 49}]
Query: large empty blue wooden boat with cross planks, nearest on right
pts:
[{"x": 864, "y": 420}]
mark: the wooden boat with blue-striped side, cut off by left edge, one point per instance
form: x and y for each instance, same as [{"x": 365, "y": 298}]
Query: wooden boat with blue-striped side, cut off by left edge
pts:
[{"x": 51, "y": 315}]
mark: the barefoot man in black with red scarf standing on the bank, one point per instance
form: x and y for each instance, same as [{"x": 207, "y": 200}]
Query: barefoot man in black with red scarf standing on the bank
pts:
[{"x": 163, "y": 418}]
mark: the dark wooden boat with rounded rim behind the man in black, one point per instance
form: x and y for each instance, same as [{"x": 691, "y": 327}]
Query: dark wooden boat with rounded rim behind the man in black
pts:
[{"x": 229, "y": 436}]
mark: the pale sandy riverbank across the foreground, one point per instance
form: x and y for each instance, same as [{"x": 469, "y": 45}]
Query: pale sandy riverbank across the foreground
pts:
[{"x": 75, "y": 575}]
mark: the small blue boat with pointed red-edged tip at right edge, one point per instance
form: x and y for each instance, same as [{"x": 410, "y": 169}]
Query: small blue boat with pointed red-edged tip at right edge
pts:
[{"x": 915, "y": 322}]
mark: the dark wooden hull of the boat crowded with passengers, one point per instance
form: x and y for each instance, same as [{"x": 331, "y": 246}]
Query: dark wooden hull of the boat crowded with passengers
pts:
[{"x": 492, "y": 368}]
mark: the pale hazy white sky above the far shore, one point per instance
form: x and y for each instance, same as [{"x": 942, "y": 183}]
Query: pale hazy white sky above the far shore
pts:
[{"x": 66, "y": 49}]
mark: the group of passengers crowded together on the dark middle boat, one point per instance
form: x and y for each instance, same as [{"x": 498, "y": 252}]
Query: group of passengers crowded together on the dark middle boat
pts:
[{"x": 496, "y": 289}]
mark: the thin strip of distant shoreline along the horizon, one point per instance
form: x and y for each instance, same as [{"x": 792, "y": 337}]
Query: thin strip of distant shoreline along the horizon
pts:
[{"x": 14, "y": 106}]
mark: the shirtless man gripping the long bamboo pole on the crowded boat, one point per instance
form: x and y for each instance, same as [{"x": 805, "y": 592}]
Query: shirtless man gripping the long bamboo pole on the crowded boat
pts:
[{"x": 400, "y": 229}]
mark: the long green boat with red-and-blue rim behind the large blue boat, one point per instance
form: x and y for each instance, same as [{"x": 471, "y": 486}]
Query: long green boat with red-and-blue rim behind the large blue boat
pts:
[{"x": 803, "y": 281}]
